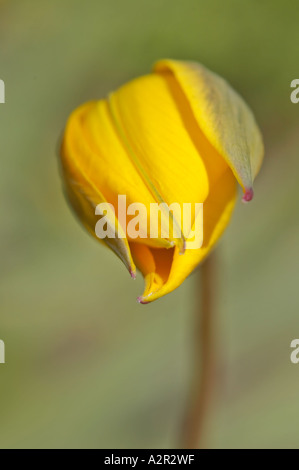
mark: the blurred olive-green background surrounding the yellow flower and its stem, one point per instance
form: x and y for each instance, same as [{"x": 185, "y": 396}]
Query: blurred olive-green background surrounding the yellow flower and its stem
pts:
[{"x": 86, "y": 365}]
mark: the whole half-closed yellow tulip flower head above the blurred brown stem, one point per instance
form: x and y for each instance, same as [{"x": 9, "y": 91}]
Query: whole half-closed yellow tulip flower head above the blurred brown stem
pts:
[{"x": 181, "y": 135}]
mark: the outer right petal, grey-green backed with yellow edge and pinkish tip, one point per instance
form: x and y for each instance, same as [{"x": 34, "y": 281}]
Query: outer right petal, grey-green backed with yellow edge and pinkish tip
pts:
[{"x": 223, "y": 116}]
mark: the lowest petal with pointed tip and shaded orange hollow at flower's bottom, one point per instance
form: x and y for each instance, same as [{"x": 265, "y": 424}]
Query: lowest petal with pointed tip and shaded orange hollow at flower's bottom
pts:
[{"x": 165, "y": 270}]
